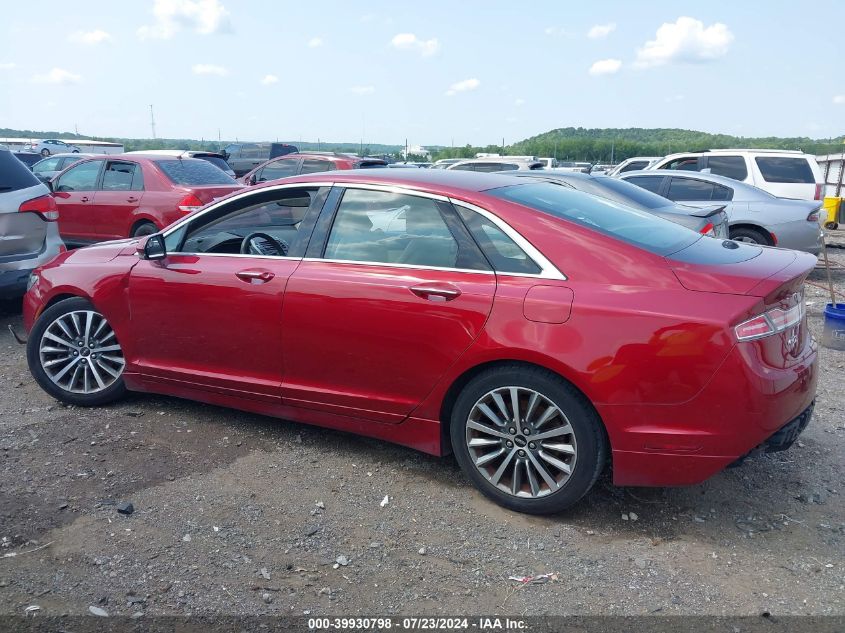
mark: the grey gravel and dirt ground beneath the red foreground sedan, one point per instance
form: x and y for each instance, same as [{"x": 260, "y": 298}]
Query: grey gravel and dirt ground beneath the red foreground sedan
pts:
[{"x": 235, "y": 513}]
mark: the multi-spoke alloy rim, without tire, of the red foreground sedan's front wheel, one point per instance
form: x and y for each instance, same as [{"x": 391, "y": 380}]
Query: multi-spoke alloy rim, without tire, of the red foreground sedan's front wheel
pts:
[{"x": 80, "y": 353}]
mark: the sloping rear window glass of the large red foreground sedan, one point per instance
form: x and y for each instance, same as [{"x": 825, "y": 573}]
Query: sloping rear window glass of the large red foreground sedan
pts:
[{"x": 639, "y": 228}]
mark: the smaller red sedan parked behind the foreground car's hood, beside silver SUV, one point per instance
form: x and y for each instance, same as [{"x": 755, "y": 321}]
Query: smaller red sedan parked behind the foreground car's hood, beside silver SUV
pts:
[{"x": 117, "y": 196}]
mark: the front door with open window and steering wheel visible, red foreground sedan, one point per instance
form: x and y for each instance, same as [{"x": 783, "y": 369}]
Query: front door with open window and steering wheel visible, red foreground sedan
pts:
[{"x": 208, "y": 316}]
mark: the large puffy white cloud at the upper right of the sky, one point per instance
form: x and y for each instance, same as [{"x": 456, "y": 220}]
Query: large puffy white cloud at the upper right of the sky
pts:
[{"x": 685, "y": 40}]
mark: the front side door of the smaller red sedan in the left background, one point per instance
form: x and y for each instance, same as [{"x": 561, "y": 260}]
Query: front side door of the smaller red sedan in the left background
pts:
[{"x": 74, "y": 192}]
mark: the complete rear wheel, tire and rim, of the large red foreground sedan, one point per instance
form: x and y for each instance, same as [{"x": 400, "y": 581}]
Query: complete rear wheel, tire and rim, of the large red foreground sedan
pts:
[{"x": 527, "y": 439}]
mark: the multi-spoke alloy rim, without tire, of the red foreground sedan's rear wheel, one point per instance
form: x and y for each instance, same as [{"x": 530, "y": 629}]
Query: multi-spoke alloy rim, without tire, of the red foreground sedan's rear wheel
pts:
[{"x": 521, "y": 442}]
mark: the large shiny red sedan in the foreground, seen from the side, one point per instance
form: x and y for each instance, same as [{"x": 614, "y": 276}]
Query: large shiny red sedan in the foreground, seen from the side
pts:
[{"x": 537, "y": 332}]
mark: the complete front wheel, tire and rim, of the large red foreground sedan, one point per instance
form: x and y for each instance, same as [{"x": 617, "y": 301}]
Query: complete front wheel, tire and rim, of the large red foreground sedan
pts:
[{"x": 74, "y": 355}]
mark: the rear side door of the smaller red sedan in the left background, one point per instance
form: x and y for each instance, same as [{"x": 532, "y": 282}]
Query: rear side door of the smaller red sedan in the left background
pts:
[{"x": 118, "y": 197}]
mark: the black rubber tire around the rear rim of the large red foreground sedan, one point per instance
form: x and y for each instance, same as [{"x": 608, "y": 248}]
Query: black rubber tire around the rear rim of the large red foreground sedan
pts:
[{"x": 586, "y": 426}]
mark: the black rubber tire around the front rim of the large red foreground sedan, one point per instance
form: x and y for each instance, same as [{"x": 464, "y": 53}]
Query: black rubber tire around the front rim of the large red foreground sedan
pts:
[{"x": 113, "y": 392}]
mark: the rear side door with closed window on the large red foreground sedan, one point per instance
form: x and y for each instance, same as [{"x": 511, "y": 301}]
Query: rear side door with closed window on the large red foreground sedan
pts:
[{"x": 379, "y": 309}]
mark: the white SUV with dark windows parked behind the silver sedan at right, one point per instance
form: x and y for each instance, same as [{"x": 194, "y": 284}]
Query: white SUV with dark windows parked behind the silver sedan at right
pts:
[{"x": 783, "y": 173}]
